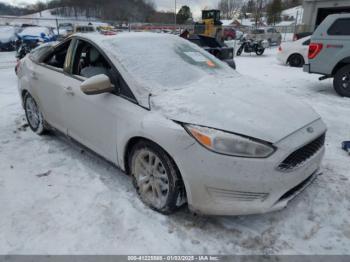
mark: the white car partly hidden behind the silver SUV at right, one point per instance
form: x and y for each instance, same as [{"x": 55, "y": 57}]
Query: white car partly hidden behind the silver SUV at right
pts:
[{"x": 294, "y": 53}]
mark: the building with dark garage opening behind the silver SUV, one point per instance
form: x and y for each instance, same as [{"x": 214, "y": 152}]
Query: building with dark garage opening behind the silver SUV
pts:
[{"x": 315, "y": 11}]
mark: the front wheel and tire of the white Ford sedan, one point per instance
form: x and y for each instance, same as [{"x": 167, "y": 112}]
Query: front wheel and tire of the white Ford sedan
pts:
[{"x": 155, "y": 177}]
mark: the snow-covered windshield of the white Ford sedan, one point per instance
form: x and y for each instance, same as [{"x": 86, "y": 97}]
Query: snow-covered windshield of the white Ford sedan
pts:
[{"x": 163, "y": 61}]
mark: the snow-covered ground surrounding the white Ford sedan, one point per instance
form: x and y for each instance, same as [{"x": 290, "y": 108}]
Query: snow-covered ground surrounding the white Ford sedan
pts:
[{"x": 57, "y": 198}]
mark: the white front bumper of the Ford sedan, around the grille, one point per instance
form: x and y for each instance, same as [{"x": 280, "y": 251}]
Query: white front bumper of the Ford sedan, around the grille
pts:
[{"x": 225, "y": 185}]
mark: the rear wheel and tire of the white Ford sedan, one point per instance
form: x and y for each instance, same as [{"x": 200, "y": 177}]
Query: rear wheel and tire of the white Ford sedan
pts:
[{"x": 33, "y": 115}]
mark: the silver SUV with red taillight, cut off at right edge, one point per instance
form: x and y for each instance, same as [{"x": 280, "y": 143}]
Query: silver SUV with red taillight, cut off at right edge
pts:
[{"x": 329, "y": 52}]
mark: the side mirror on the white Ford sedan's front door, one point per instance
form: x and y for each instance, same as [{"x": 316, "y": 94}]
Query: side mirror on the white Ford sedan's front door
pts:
[{"x": 95, "y": 85}]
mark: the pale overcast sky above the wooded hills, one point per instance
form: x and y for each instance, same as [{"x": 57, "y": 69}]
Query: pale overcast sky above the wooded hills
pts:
[{"x": 195, "y": 5}]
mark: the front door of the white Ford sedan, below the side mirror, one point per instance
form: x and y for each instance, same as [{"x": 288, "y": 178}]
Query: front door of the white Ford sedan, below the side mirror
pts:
[{"x": 91, "y": 119}]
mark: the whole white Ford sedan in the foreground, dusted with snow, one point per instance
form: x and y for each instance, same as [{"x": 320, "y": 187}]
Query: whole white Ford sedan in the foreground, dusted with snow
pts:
[{"x": 183, "y": 124}]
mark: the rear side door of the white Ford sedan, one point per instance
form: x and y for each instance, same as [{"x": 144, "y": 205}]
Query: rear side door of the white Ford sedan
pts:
[{"x": 48, "y": 77}]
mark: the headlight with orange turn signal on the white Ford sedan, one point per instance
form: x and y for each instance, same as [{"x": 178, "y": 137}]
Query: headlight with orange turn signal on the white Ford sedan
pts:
[{"x": 228, "y": 143}]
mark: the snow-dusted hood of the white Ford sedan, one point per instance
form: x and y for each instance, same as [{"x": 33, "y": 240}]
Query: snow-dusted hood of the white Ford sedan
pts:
[{"x": 236, "y": 104}]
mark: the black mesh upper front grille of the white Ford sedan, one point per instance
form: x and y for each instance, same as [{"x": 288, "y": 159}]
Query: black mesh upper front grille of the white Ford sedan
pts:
[{"x": 299, "y": 157}]
